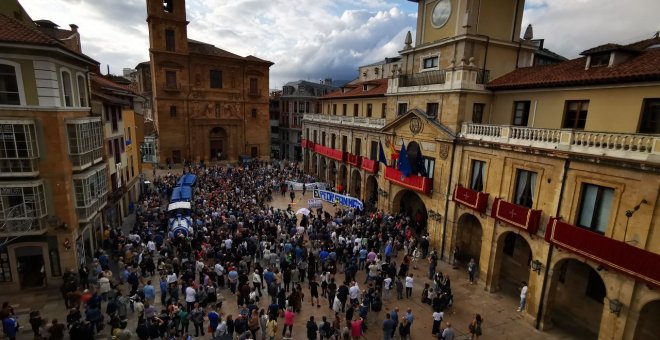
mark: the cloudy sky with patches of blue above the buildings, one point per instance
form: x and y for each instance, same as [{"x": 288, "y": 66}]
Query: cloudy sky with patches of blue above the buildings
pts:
[{"x": 314, "y": 39}]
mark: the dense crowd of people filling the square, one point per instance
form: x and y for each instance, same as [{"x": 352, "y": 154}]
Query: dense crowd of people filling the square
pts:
[{"x": 273, "y": 262}]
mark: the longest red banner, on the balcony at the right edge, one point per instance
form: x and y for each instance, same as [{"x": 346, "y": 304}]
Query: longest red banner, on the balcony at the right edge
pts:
[{"x": 621, "y": 256}]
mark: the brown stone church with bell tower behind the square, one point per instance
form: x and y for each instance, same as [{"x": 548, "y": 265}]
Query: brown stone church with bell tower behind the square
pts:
[{"x": 209, "y": 104}]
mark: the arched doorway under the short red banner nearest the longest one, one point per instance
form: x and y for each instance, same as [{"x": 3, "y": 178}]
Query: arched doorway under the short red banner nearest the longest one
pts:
[{"x": 512, "y": 263}]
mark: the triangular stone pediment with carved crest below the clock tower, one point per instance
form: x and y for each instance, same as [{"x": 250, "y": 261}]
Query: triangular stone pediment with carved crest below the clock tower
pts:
[{"x": 417, "y": 125}]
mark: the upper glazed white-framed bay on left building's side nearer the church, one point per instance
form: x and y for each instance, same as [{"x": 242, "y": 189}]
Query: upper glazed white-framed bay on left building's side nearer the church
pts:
[{"x": 85, "y": 141}]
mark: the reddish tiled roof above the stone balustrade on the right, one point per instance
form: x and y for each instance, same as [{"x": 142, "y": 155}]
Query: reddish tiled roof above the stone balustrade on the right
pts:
[{"x": 643, "y": 65}]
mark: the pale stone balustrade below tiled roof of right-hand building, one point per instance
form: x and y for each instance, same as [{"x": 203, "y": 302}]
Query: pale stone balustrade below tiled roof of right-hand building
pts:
[{"x": 630, "y": 146}]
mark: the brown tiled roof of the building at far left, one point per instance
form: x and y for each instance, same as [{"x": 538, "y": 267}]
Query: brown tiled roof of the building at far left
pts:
[{"x": 15, "y": 31}]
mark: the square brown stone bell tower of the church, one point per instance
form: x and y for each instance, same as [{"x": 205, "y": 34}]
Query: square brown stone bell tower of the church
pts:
[{"x": 167, "y": 26}]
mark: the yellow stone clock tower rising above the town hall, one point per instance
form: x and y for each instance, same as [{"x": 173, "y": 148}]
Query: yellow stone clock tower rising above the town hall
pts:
[{"x": 459, "y": 46}]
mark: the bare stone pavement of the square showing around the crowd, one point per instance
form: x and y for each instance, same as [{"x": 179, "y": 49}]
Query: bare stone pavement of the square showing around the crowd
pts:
[{"x": 501, "y": 320}]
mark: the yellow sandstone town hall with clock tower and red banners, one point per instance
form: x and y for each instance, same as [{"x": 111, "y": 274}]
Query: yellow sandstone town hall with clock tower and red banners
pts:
[{"x": 541, "y": 170}]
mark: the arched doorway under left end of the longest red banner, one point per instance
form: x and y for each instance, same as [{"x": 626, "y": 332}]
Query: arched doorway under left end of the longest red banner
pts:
[{"x": 576, "y": 298}]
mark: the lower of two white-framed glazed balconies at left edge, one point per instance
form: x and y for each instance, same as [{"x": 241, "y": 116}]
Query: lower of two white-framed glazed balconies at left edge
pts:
[{"x": 22, "y": 205}]
